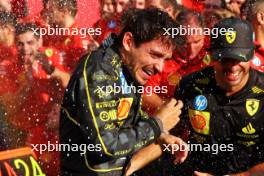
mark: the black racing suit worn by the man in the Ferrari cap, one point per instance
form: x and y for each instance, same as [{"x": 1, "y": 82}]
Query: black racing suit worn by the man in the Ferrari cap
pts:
[{"x": 229, "y": 130}]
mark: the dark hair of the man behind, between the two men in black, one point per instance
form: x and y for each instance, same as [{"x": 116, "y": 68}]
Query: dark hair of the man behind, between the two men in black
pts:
[{"x": 185, "y": 15}]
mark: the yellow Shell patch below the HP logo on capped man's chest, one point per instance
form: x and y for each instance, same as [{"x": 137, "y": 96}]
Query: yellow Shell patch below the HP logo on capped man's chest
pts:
[{"x": 200, "y": 121}]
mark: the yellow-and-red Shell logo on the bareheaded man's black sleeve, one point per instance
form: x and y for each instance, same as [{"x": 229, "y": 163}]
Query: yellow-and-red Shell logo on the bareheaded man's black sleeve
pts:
[{"x": 124, "y": 108}]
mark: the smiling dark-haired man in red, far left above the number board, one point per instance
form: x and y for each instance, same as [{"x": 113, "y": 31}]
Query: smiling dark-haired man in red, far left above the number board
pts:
[{"x": 34, "y": 112}]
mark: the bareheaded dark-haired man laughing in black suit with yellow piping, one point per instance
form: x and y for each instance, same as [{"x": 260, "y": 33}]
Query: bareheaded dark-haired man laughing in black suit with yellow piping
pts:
[{"x": 94, "y": 112}]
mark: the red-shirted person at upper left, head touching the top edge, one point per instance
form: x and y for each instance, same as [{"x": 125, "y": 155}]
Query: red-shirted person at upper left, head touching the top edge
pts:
[{"x": 72, "y": 44}]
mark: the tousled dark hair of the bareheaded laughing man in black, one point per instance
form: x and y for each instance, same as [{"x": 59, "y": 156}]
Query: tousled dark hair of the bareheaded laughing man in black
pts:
[{"x": 147, "y": 25}]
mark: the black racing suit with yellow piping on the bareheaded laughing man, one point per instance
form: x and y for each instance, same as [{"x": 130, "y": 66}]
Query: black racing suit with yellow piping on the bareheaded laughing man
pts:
[{"x": 102, "y": 109}]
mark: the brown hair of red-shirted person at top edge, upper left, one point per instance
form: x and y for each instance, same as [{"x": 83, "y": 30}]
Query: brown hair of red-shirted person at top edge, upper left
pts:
[{"x": 70, "y": 5}]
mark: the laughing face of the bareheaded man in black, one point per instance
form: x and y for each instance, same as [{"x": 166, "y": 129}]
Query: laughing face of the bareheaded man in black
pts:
[{"x": 144, "y": 60}]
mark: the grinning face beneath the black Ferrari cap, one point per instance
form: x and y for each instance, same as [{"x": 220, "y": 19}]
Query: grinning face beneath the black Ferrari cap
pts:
[{"x": 231, "y": 75}]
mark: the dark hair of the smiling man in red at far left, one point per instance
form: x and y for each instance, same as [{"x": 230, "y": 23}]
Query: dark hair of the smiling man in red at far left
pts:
[{"x": 25, "y": 27}]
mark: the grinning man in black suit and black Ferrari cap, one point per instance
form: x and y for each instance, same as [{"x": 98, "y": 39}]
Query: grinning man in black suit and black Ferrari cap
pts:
[{"x": 223, "y": 105}]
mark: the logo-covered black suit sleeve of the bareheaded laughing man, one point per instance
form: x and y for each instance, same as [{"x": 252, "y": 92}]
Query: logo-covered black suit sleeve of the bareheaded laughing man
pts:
[{"x": 105, "y": 117}]
